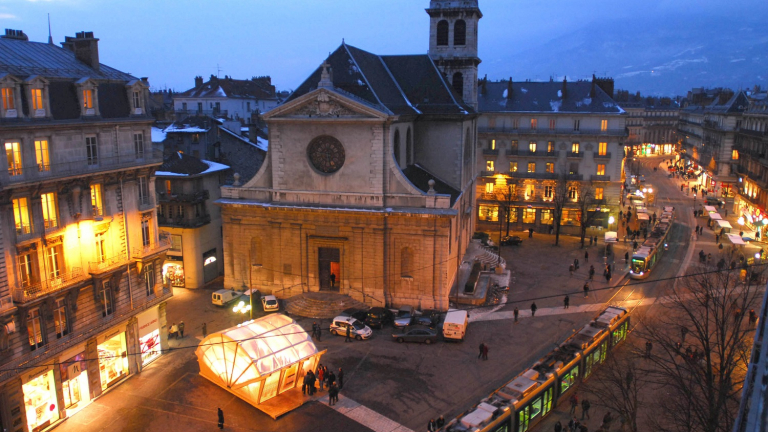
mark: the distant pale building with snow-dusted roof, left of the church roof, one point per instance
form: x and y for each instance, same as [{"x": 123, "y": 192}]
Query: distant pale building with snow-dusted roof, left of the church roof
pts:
[{"x": 226, "y": 98}]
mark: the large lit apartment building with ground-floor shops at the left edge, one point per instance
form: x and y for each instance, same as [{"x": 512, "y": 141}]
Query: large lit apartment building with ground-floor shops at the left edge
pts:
[{"x": 81, "y": 303}]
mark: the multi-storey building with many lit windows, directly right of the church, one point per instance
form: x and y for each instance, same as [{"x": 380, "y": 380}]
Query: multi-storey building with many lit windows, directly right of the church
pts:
[{"x": 536, "y": 135}]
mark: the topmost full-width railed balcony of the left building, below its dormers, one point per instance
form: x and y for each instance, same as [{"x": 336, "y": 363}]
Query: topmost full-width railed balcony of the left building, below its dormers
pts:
[{"x": 78, "y": 167}]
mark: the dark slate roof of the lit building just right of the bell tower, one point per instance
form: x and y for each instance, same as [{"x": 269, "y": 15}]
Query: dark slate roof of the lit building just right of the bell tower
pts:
[{"x": 545, "y": 97}]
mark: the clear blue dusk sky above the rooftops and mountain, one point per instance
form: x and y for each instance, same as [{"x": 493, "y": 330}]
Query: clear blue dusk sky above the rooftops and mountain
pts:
[{"x": 171, "y": 41}]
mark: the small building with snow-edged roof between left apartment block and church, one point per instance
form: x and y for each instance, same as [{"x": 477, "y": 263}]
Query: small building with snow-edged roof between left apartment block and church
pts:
[{"x": 186, "y": 189}]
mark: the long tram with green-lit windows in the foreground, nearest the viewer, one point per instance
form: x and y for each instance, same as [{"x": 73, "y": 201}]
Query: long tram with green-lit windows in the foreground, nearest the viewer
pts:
[{"x": 528, "y": 398}]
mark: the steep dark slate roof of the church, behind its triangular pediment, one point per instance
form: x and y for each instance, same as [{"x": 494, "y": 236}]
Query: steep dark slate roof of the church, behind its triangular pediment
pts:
[{"x": 400, "y": 85}]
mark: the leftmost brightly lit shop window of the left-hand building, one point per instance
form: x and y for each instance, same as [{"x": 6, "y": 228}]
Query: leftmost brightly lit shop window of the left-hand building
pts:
[{"x": 40, "y": 400}]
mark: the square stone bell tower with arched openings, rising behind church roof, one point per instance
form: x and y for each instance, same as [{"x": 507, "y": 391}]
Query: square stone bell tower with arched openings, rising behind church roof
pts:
[{"x": 453, "y": 43}]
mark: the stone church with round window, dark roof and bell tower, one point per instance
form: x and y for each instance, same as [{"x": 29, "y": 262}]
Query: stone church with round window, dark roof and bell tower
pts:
[{"x": 367, "y": 187}]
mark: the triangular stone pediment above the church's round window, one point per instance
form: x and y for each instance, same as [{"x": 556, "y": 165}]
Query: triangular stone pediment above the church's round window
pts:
[{"x": 325, "y": 104}]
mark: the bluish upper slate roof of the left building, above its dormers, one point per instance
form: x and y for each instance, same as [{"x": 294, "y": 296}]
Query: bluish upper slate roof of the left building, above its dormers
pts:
[{"x": 24, "y": 58}]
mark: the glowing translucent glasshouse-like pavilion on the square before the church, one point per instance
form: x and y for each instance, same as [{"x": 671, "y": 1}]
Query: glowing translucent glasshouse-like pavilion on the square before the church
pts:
[{"x": 262, "y": 361}]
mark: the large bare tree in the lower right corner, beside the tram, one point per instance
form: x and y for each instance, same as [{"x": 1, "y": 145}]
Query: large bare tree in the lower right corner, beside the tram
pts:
[{"x": 701, "y": 341}]
